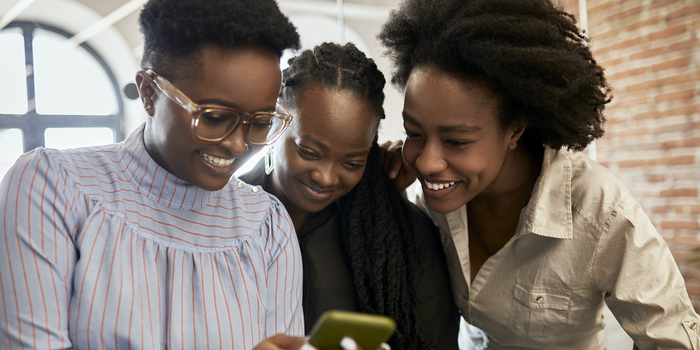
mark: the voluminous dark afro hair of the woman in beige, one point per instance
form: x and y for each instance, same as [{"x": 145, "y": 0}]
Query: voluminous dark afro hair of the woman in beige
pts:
[{"x": 538, "y": 61}]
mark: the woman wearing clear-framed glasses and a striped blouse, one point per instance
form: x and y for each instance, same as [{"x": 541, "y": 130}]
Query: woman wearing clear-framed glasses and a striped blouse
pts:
[{"x": 149, "y": 243}]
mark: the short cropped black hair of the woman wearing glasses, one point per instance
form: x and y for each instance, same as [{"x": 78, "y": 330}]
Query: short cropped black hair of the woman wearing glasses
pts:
[{"x": 175, "y": 30}]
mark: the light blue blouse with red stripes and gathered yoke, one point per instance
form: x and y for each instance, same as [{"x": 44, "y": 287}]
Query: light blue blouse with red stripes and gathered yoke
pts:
[{"x": 103, "y": 248}]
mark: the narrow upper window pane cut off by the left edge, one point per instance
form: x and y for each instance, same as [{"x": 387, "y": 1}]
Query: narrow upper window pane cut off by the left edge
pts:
[{"x": 13, "y": 85}]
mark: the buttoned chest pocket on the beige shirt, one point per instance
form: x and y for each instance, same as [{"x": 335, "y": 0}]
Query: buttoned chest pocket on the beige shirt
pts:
[{"x": 538, "y": 310}]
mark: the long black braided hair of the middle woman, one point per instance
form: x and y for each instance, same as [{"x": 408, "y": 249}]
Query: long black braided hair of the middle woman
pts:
[{"x": 378, "y": 239}]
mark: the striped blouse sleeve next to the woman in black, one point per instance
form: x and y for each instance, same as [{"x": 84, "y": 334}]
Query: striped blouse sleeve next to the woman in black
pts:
[{"x": 284, "y": 275}]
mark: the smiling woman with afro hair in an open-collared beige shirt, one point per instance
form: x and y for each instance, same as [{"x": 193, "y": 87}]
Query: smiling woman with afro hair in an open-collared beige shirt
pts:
[{"x": 499, "y": 97}]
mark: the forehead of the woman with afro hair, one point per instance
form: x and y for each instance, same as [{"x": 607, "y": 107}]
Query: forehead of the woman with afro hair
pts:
[{"x": 438, "y": 97}]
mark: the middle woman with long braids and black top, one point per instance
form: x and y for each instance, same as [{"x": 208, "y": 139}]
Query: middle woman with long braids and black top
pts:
[{"x": 364, "y": 247}]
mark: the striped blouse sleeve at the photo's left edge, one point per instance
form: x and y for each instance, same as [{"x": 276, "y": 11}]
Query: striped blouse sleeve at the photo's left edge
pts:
[{"x": 37, "y": 253}]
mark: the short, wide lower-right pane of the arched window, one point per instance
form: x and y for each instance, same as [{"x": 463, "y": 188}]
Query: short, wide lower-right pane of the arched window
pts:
[{"x": 77, "y": 137}]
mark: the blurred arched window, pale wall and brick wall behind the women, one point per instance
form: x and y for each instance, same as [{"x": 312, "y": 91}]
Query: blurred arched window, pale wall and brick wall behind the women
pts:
[{"x": 67, "y": 69}]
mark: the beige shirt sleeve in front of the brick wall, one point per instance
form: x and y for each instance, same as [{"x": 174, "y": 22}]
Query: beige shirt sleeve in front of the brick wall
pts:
[{"x": 643, "y": 286}]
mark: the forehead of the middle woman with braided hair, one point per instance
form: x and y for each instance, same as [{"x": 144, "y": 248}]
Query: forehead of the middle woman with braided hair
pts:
[{"x": 339, "y": 117}]
